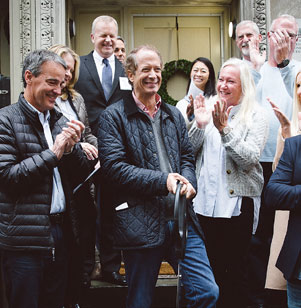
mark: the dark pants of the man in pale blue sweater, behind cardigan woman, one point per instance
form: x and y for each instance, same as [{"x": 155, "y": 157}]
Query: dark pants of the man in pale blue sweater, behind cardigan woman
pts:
[{"x": 259, "y": 253}]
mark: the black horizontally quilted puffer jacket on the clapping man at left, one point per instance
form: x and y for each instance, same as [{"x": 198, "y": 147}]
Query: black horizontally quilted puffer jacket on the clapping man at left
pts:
[{"x": 26, "y": 175}]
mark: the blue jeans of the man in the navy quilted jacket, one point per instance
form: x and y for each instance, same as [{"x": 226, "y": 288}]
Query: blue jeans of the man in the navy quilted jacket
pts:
[{"x": 142, "y": 268}]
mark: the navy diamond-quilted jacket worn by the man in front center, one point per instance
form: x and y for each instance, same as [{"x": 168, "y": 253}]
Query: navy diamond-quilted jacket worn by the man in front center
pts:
[{"x": 131, "y": 171}]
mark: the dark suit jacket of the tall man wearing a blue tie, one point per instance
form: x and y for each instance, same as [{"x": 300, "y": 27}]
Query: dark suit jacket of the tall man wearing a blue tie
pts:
[{"x": 89, "y": 86}]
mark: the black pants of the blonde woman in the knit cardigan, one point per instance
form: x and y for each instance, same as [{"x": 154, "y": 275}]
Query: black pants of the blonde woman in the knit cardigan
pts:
[{"x": 227, "y": 242}]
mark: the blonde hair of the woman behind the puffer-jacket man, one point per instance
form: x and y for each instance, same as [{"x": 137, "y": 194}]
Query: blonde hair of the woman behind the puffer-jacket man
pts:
[{"x": 60, "y": 50}]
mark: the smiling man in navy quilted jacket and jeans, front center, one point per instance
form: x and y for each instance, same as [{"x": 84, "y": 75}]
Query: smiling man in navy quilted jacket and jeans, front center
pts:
[{"x": 144, "y": 150}]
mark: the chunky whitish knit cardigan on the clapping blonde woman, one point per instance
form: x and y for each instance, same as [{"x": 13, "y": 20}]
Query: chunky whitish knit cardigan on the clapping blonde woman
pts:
[{"x": 243, "y": 147}]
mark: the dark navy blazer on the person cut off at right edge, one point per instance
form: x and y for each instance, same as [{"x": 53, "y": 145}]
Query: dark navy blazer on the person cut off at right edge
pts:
[{"x": 283, "y": 192}]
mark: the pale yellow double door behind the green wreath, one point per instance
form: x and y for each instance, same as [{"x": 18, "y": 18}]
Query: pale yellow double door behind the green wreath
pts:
[{"x": 182, "y": 37}]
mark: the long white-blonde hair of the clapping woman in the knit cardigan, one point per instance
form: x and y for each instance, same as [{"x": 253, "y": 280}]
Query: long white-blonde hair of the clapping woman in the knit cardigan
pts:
[{"x": 248, "y": 93}]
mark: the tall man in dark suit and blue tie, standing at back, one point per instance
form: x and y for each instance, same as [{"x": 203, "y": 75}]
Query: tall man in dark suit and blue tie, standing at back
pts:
[{"x": 100, "y": 84}]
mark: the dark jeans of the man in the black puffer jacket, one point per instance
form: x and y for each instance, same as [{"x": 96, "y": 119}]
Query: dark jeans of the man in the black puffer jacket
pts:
[{"x": 32, "y": 279}]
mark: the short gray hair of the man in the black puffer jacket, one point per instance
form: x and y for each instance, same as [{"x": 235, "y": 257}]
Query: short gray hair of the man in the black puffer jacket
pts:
[{"x": 36, "y": 59}]
